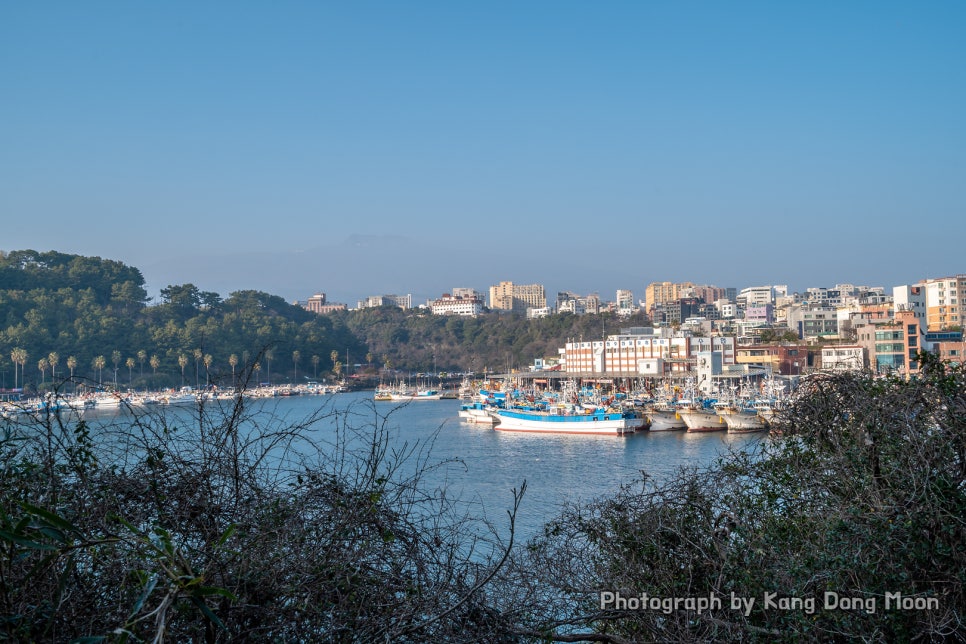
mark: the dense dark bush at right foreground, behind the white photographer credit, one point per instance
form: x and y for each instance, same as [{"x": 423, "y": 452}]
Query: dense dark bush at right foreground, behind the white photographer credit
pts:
[{"x": 850, "y": 524}]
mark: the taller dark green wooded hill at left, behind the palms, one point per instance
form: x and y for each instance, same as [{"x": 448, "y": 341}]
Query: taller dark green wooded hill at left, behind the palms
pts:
[{"x": 66, "y": 314}]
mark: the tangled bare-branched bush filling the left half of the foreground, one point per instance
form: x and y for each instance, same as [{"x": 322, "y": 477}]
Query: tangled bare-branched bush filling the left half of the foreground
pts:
[{"x": 225, "y": 524}]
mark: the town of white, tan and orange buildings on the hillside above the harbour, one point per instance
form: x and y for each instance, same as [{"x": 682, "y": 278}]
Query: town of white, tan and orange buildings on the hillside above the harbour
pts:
[{"x": 712, "y": 332}]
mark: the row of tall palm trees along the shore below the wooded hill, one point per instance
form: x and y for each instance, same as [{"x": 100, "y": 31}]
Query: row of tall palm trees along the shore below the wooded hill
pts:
[{"x": 19, "y": 357}]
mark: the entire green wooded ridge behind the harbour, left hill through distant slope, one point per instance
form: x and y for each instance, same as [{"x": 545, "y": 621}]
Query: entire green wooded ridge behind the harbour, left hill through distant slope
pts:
[{"x": 64, "y": 314}]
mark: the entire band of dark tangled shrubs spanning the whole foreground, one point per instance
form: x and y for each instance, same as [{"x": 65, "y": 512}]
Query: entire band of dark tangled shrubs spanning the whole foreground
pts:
[{"x": 850, "y": 523}]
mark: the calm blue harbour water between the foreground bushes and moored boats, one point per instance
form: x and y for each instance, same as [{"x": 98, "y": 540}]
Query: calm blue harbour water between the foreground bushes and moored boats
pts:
[{"x": 488, "y": 464}]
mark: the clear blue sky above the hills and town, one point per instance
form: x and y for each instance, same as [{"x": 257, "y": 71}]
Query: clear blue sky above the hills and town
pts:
[{"x": 363, "y": 148}]
